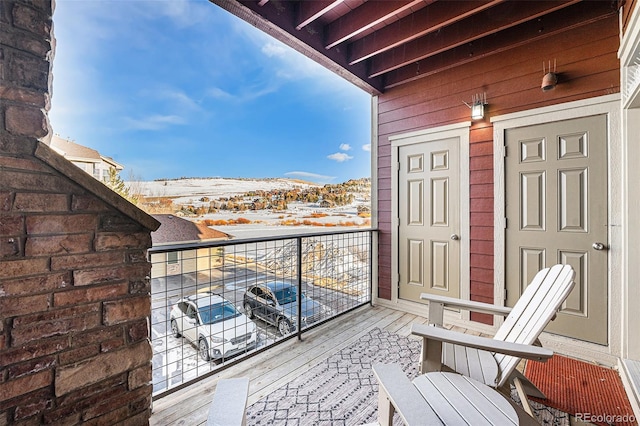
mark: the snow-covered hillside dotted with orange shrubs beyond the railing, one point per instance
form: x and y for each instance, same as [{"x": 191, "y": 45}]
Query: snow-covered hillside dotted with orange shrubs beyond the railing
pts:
[{"x": 296, "y": 218}]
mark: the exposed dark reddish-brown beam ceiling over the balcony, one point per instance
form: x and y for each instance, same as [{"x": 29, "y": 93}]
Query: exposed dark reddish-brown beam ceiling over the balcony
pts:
[{"x": 378, "y": 44}]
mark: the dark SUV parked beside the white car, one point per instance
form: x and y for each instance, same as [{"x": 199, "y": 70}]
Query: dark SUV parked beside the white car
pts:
[{"x": 277, "y": 304}]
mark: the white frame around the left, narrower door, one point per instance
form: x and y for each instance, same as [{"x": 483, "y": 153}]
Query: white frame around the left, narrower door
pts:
[{"x": 461, "y": 132}]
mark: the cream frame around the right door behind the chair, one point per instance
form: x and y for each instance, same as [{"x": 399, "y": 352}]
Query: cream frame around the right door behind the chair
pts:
[{"x": 610, "y": 106}]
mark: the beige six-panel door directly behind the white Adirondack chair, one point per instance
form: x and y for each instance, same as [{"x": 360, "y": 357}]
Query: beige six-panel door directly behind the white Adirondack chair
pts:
[{"x": 556, "y": 207}]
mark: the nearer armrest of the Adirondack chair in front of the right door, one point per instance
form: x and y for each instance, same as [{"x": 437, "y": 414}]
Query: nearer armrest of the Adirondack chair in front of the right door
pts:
[{"x": 508, "y": 348}]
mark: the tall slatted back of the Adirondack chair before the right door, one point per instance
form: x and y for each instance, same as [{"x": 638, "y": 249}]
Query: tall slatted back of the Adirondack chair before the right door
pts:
[{"x": 537, "y": 306}]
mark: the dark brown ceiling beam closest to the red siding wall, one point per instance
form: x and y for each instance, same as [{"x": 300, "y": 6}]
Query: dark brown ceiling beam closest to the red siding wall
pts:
[{"x": 581, "y": 14}]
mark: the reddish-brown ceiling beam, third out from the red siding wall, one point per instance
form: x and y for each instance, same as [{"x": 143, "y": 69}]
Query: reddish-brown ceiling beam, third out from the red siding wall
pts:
[{"x": 420, "y": 23}]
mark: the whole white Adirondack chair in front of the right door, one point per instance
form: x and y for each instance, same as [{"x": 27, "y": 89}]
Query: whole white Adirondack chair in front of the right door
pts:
[{"x": 494, "y": 361}]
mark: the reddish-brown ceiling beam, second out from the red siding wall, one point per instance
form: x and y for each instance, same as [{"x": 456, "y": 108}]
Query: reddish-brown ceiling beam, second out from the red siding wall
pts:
[{"x": 498, "y": 18}]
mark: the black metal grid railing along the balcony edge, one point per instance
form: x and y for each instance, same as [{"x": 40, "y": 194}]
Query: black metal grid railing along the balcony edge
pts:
[{"x": 217, "y": 303}]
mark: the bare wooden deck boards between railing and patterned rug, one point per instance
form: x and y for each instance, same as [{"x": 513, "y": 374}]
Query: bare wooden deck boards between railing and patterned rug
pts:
[{"x": 273, "y": 368}]
